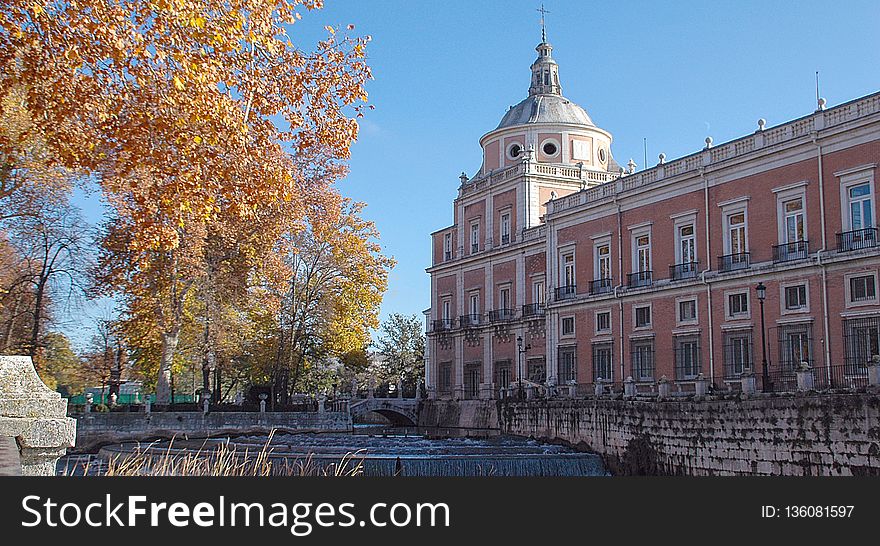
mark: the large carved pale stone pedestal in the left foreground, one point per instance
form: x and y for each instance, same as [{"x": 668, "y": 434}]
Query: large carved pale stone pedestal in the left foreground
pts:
[{"x": 34, "y": 415}]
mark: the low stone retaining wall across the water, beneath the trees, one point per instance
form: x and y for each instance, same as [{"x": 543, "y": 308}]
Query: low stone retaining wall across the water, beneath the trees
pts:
[{"x": 96, "y": 429}]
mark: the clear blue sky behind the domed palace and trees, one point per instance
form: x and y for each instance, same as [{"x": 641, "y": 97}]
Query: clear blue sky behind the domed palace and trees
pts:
[{"x": 672, "y": 73}]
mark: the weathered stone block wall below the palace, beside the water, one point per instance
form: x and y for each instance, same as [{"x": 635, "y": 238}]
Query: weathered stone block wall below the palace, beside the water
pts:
[{"x": 828, "y": 435}]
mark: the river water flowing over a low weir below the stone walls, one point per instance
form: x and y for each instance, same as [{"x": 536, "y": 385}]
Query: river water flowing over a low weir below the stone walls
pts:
[{"x": 386, "y": 453}]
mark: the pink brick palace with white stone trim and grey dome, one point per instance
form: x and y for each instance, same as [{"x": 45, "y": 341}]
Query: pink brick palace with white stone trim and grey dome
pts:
[{"x": 563, "y": 268}]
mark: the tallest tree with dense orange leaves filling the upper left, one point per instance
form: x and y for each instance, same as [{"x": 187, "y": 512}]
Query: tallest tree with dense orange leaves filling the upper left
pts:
[{"x": 175, "y": 107}]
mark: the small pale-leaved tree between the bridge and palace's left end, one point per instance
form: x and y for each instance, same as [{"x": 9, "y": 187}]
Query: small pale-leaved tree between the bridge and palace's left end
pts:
[{"x": 402, "y": 346}]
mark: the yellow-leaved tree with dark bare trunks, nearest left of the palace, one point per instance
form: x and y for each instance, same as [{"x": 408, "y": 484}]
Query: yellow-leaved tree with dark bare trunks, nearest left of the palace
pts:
[{"x": 336, "y": 275}]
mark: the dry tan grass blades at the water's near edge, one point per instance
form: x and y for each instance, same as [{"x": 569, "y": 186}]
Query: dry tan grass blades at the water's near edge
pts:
[{"x": 225, "y": 459}]
